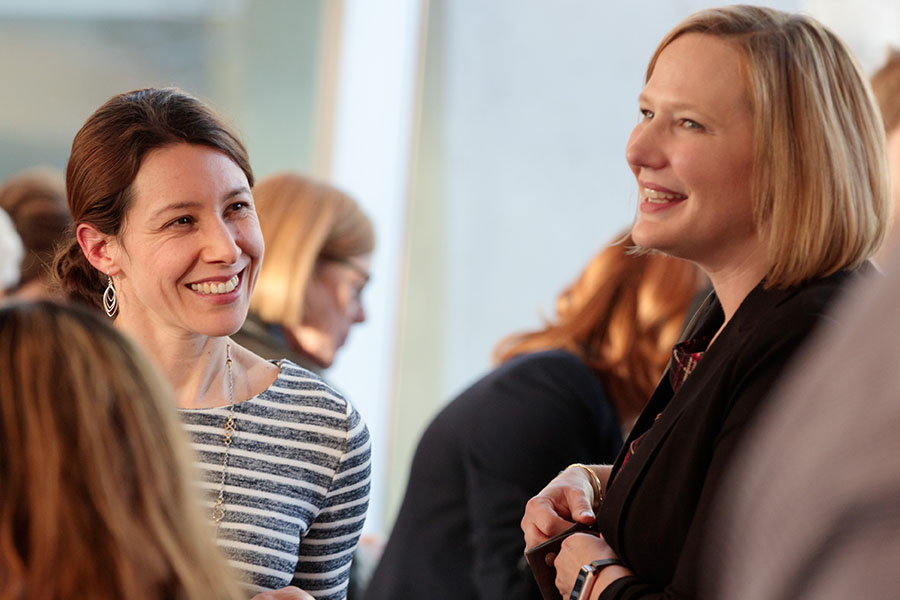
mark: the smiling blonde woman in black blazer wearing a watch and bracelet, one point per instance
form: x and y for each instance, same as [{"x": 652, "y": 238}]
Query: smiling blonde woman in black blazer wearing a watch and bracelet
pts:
[{"x": 760, "y": 157}]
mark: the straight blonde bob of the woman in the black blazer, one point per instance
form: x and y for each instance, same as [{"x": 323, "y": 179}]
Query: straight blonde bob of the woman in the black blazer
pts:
[{"x": 821, "y": 189}]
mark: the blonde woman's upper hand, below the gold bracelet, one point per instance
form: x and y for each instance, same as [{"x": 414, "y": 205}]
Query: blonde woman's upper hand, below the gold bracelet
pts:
[{"x": 567, "y": 498}]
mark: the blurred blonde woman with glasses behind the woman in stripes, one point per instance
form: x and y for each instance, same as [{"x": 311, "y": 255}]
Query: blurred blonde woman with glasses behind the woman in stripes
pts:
[{"x": 309, "y": 293}]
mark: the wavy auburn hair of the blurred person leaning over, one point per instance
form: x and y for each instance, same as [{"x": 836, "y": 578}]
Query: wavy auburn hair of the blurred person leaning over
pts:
[{"x": 621, "y": 317}]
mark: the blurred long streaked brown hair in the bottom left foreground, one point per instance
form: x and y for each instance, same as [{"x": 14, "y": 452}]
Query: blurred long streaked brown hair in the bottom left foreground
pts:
[{"x": 97, "y": 499}]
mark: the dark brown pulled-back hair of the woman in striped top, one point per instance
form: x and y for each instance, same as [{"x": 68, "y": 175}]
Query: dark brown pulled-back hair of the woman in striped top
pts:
[{"x": 106, "y": 155}]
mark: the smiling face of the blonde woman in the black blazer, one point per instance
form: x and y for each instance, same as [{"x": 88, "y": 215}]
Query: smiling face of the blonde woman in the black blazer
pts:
[{"x": 692, "y": 155}]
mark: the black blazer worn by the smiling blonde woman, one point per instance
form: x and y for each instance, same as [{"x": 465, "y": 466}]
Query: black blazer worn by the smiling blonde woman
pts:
[{"x": 656, "y": 506}]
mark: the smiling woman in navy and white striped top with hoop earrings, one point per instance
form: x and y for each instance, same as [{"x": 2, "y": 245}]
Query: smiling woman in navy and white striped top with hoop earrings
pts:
[{"x": 168, "y": 244}]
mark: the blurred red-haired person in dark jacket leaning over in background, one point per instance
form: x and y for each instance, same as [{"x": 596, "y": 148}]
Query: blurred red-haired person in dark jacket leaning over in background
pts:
[{"x": 562, "y": 394}]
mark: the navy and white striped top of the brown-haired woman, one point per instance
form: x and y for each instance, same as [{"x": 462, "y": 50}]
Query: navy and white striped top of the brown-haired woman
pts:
[{"x": 297, "y": 485}]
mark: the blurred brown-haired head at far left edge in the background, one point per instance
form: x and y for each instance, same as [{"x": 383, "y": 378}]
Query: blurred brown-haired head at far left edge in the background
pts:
[{"x": 36, "y": 202}]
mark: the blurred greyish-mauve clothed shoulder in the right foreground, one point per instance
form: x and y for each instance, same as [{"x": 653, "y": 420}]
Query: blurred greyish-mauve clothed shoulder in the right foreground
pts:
[{"x": 811, "y": 507}]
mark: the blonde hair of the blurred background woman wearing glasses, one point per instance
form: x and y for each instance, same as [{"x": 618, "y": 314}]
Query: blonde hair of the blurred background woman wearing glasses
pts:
[{"x": 303, "y": 222}]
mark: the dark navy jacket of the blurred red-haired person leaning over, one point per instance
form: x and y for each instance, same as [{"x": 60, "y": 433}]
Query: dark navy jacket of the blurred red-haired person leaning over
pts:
[{"x": 495, "y": 446}]
